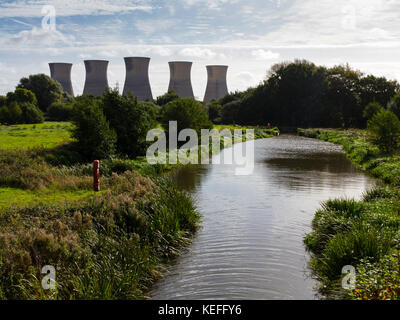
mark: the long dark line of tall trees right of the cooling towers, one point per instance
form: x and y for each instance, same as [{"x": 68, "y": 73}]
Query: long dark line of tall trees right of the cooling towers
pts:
[{"x": 302, "y": 94}]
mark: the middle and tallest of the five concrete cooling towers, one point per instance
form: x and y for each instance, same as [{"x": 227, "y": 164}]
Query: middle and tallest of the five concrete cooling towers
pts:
[{"x": 137, "y": 78}]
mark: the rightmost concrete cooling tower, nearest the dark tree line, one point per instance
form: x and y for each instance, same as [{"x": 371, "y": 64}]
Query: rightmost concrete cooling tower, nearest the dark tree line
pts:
[{"x": 216, "y": 85}]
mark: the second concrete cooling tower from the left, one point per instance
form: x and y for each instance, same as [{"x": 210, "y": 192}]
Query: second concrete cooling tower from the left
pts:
[{"x": 96, "y": 77}]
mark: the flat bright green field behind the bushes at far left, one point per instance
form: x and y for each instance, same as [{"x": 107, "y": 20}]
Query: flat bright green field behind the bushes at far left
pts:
[{"x": 46, "y": 135}]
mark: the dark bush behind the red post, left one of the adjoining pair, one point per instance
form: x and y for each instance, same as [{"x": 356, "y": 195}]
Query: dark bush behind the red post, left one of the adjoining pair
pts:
[{"x": 95, "y": 139}]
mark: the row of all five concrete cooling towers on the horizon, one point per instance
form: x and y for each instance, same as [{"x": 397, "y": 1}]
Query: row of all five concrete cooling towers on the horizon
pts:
[{"x": 137, "y": 78}]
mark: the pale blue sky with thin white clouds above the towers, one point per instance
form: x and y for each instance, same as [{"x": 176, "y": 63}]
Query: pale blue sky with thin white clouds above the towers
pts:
[{"x": 247, "y": 35}]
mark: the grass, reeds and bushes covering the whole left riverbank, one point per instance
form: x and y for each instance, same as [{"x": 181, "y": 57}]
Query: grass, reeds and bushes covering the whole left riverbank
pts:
[{"x": 107, "y": 245}]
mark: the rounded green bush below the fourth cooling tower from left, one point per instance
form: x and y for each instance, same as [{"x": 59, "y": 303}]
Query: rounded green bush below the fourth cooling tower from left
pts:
[{"x": 188, "y": 113}]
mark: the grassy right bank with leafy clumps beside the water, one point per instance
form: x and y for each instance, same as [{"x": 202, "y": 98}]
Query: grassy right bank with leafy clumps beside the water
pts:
[{"x": 364, "y": 234}]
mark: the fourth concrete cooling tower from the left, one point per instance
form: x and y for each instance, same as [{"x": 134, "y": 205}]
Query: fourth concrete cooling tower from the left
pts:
[{"x": 180, "y": 78}]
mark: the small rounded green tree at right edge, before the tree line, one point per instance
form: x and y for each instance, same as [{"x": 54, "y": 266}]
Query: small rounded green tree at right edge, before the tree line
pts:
[{"x": 384, "y": 128}]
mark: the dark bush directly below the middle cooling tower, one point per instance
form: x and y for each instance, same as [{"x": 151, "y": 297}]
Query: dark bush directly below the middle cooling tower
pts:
[{"x": 130, "y": 120}]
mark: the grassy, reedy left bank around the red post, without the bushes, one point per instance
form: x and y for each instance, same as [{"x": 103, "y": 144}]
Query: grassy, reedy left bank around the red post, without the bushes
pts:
[{"x": 108, "y": 245}]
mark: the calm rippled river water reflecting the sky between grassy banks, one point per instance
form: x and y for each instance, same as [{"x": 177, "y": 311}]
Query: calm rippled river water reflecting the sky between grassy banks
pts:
[{"x": 250, "y": 245}]
